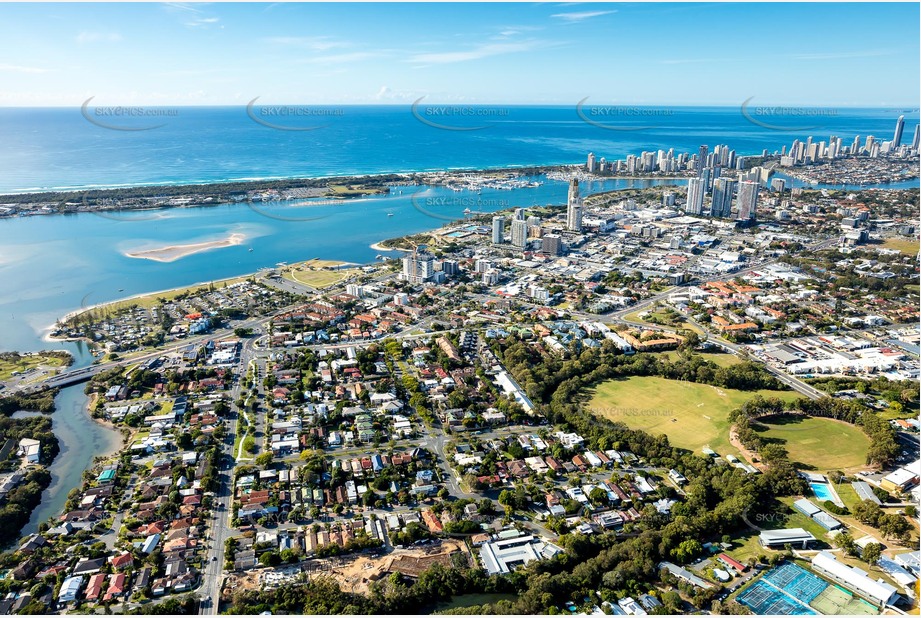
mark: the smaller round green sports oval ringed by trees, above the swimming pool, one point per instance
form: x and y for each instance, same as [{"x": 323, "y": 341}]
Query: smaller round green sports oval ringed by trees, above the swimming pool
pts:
[{"x": 817, "y": 443}]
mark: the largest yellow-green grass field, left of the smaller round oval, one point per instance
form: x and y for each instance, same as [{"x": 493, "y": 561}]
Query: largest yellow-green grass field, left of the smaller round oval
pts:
[{"x": 691, "y": 415}]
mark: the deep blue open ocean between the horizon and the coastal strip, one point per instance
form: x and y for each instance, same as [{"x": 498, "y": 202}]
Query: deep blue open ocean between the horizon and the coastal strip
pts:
[{"x": 52, "y": 148}]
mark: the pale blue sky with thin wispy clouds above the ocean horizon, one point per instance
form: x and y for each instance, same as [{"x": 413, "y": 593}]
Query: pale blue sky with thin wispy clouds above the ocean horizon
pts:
[{"x": 822, "y": 54}]
